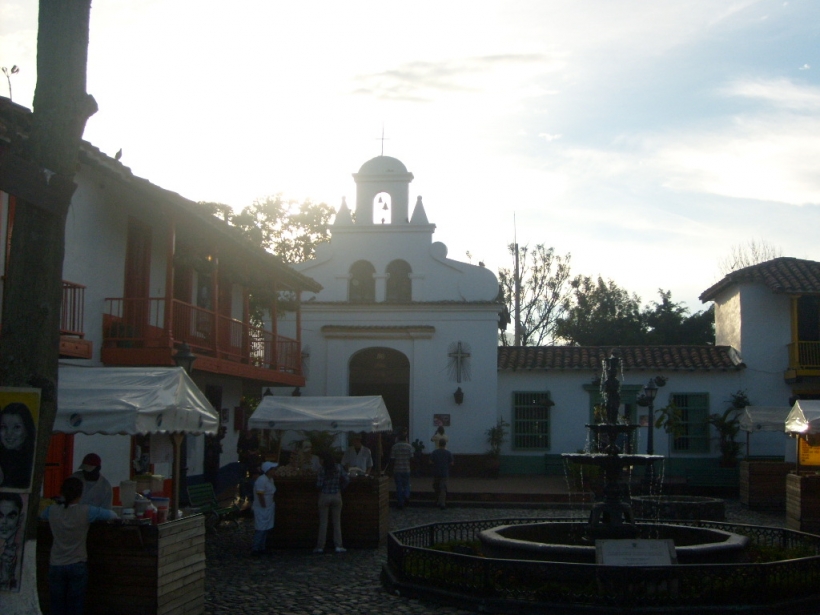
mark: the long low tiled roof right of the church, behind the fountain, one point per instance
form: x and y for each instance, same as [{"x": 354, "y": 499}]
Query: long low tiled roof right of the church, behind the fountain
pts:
[{"x": 665, "y": 358}]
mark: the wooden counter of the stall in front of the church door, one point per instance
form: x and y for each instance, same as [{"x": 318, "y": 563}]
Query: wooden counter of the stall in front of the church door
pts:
[{"x": 365, "y": 513}]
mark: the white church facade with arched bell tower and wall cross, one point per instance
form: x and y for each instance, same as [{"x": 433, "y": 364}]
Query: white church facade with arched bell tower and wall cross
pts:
[{"x": 397, "y": 318}]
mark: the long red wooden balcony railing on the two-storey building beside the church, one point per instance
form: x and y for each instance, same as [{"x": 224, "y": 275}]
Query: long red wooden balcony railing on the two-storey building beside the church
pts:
[{"x": 140, "y": 323}]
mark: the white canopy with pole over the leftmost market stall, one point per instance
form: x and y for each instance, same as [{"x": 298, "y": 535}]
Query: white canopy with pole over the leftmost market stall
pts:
[{"x": 131, "y": 401}]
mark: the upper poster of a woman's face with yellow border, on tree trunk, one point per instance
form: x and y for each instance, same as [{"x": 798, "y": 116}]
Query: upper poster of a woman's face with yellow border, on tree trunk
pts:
[{"x": 19, "y": 411}]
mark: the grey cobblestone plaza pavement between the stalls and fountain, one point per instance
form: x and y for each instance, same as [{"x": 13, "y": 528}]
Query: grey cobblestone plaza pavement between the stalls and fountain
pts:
[{"x": 297, "y": 582}]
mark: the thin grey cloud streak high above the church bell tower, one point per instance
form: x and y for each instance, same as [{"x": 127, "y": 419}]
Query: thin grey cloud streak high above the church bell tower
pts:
[{"x": 422, "y": 81}]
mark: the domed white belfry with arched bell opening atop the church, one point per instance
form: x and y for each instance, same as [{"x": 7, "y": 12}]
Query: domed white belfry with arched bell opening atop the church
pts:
[{"x": 379, "y": 176}]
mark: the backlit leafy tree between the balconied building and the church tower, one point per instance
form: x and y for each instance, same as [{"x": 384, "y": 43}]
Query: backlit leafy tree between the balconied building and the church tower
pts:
[{"x": 289, "y": 229}]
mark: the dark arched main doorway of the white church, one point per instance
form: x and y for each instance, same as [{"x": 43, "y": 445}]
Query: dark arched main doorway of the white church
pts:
[{"x": 385, "y": 372}]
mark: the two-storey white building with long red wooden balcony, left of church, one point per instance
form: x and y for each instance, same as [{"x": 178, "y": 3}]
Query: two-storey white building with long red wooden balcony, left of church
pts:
[{"x": 147, "y": 270}]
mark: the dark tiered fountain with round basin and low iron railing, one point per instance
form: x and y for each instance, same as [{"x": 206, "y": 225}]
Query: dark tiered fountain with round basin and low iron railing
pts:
[{"x": 520, "y": 566}]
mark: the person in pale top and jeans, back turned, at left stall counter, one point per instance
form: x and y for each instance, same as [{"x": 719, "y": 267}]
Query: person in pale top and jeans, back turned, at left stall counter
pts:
[{"x": 68, "y": 568}]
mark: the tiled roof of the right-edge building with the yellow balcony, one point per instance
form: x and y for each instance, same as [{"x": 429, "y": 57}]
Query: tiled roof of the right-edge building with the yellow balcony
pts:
[{"x": 781, "y": 275}]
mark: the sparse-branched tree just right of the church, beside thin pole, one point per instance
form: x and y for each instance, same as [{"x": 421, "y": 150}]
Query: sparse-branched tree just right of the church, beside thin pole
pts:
[{"x": 543, "y": 278}]
